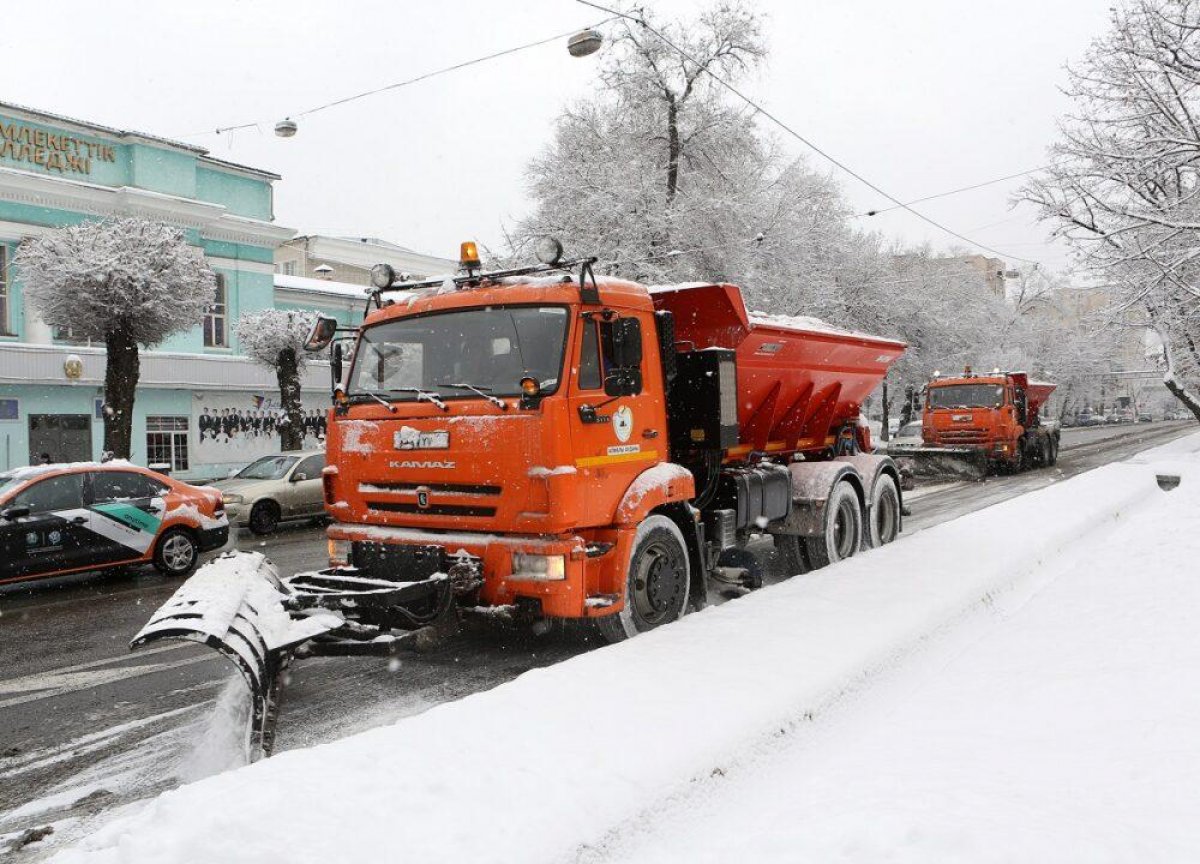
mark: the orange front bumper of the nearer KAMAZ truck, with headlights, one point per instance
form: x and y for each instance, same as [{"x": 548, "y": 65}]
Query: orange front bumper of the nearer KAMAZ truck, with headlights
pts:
[{"x": 592, "y": 585}]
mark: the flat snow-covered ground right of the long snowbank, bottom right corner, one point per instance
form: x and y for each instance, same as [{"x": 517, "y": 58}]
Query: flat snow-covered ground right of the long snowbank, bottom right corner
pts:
[{"x": 1057, "y": 725}]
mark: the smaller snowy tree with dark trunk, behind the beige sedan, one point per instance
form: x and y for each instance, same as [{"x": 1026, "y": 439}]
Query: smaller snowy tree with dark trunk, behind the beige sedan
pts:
[{"x": 275, "y": 339}]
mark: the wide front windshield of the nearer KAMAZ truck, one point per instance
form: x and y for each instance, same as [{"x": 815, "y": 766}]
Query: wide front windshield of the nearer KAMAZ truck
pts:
[{"x": 490, "y": 349}]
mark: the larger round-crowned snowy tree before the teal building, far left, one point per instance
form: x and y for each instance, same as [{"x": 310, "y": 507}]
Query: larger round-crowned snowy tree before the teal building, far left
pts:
[{"x": 124, "y": 283}]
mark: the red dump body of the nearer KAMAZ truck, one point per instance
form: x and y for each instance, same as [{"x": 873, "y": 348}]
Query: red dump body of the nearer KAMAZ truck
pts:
[{"x": 799, "y": 381}]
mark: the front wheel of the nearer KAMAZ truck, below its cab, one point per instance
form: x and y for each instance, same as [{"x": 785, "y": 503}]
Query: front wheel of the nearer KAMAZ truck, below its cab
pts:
[{"x": 657, "y": 585}]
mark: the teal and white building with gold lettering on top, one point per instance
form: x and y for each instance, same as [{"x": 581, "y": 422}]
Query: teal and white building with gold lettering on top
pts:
[{"x": 202, "y": 409}]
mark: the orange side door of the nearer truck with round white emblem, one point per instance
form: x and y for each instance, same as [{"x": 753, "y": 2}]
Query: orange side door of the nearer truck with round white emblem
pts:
[{"x": 615, "y": 439}]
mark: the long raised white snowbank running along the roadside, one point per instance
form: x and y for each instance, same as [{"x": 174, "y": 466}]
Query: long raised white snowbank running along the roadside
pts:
[{"x": 557, "y": 760}]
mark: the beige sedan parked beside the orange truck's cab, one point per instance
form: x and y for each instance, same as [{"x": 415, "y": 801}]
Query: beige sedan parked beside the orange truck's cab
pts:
[{"x": 275, "y": 489}]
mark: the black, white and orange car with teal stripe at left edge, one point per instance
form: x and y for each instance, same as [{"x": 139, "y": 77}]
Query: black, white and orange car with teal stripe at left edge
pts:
[{"x": 62, "y": 519}]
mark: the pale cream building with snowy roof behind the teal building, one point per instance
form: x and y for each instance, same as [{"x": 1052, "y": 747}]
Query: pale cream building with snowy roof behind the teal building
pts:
[{"x": 350, "y": 260}]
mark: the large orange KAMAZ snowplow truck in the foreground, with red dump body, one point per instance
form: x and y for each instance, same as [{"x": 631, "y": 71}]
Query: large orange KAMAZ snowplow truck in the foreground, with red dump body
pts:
[{"x": 554, "y": 445}]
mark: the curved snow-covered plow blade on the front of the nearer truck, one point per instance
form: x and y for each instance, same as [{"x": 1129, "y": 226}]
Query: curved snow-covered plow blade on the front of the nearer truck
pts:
[{"x": 238, "y": 607}]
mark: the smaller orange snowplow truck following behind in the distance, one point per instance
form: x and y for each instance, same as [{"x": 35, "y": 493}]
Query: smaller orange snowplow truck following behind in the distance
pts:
[{"x": 976, "y": 424}]
